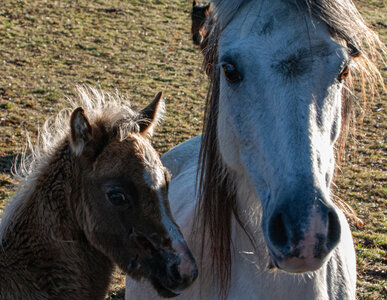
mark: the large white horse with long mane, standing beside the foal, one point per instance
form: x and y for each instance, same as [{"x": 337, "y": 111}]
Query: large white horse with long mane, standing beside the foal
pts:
[{"x": 262, "y": 220}]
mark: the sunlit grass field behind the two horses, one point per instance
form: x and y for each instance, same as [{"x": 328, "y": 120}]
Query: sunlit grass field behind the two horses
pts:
[{"x": 142, "y": 47}]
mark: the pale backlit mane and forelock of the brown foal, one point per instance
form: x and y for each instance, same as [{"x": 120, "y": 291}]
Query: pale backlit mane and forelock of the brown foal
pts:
[{"x": 113, "y": 110}]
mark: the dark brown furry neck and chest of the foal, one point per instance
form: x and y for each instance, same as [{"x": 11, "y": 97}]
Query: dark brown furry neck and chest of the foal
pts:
[{"x": 44, "y": 251}]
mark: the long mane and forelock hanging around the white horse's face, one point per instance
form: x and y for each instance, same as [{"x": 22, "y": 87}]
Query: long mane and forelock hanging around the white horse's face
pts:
[{"x": 217, "y": 196}]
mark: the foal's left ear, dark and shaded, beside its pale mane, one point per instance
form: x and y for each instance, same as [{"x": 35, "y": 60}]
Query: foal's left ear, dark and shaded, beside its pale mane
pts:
[{"x": 81, "y": 131}]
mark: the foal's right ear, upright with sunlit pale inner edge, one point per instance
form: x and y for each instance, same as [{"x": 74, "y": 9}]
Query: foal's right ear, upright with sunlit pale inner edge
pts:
[{"x": 151, "y": 114}]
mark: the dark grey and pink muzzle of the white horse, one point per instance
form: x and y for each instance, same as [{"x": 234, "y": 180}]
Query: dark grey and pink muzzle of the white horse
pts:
[{"x": 300, "y": 244}]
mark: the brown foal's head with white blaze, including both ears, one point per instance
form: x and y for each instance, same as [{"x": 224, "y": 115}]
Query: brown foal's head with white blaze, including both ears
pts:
[{"x": 121, "y": 199}]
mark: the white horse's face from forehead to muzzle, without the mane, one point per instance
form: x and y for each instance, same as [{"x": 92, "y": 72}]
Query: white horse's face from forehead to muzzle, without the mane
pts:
[{"x": 277, "y": 127}]
